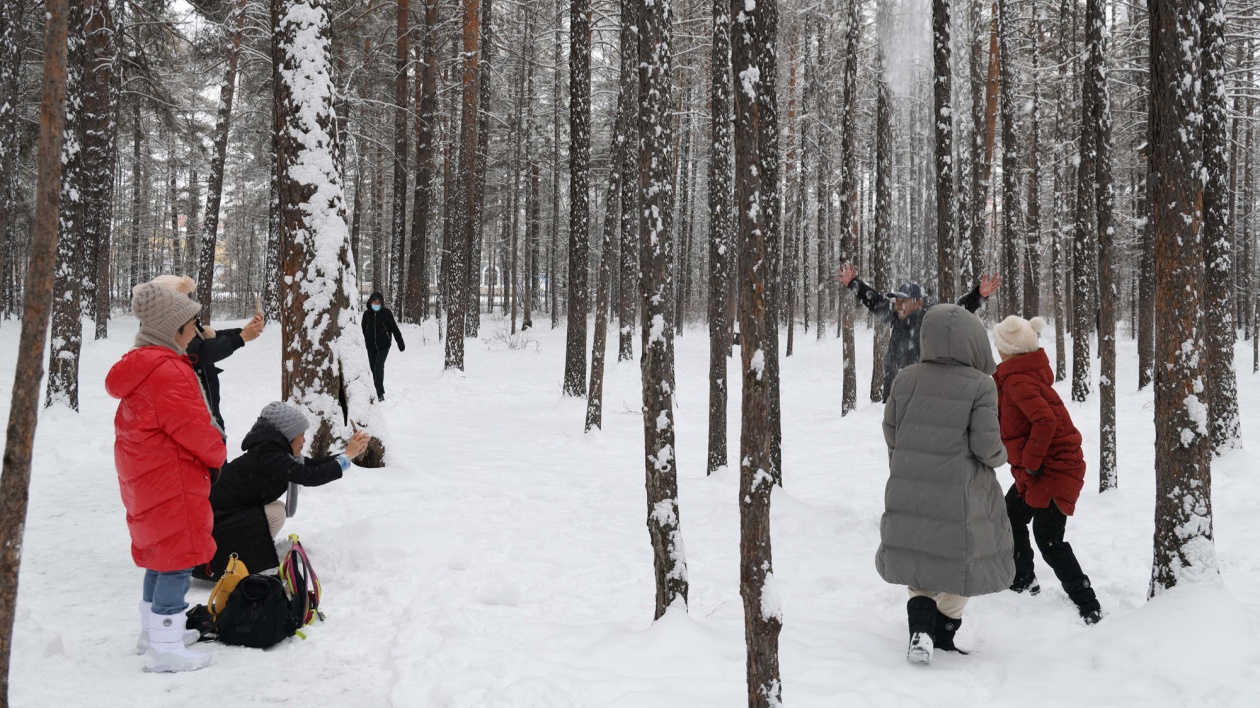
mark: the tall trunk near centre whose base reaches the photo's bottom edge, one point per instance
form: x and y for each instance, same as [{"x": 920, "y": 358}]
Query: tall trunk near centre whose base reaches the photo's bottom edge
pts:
[{"x": 753, "y": 36}]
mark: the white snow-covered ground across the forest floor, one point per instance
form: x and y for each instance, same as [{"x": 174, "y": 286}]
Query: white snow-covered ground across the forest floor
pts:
[{"x": 503, "y": 560}]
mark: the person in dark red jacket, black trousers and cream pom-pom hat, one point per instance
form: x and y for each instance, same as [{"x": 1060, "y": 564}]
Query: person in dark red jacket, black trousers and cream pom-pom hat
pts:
[{"x": 1046, "y": 460}]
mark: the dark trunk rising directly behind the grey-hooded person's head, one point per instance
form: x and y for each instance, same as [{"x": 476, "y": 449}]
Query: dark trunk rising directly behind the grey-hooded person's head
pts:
[{"x": 943, "y": 123}]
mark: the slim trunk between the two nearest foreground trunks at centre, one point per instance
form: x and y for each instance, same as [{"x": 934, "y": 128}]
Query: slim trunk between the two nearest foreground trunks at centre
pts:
[{"x": 721, "y": 192}]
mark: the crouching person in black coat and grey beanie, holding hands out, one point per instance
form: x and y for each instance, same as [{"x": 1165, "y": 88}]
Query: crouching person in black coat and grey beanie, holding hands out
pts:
[{"x": 248, "y": 512}]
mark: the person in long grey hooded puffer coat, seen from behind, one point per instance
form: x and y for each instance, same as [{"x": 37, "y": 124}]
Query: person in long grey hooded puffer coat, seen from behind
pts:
[{"x": 944, "y": 532}]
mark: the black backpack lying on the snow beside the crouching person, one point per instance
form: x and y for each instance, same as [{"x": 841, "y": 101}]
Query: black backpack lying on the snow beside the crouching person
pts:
[{"x": 260, "y": 614}]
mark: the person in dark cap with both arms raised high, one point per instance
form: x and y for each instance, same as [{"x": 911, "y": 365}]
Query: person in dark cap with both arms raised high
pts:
[{"x": 905, "y": 311}]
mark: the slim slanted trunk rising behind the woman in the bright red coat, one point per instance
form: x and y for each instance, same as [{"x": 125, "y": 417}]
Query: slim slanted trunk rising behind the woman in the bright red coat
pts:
[{"x": 215, "y": 186}]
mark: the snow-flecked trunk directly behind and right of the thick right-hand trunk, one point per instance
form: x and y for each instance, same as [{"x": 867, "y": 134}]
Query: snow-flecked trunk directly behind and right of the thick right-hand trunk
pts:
[{"x": 1223, "y": 391}]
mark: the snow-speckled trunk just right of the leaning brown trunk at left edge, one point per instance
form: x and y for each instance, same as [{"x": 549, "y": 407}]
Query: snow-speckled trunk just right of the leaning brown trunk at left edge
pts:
[{"x": 69, "y": 283}]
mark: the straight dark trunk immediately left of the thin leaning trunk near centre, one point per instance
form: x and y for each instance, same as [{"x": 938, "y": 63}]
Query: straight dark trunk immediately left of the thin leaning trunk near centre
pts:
[{"x": 579, "y": 193}]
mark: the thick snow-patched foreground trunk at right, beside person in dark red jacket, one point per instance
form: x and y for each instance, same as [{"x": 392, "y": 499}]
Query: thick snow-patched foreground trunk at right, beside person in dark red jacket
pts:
[{"x": 1184, "y": 547}]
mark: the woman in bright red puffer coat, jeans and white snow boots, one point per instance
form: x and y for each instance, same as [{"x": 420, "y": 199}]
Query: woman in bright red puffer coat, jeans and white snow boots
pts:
[{"x": 166, "y": 448}]
